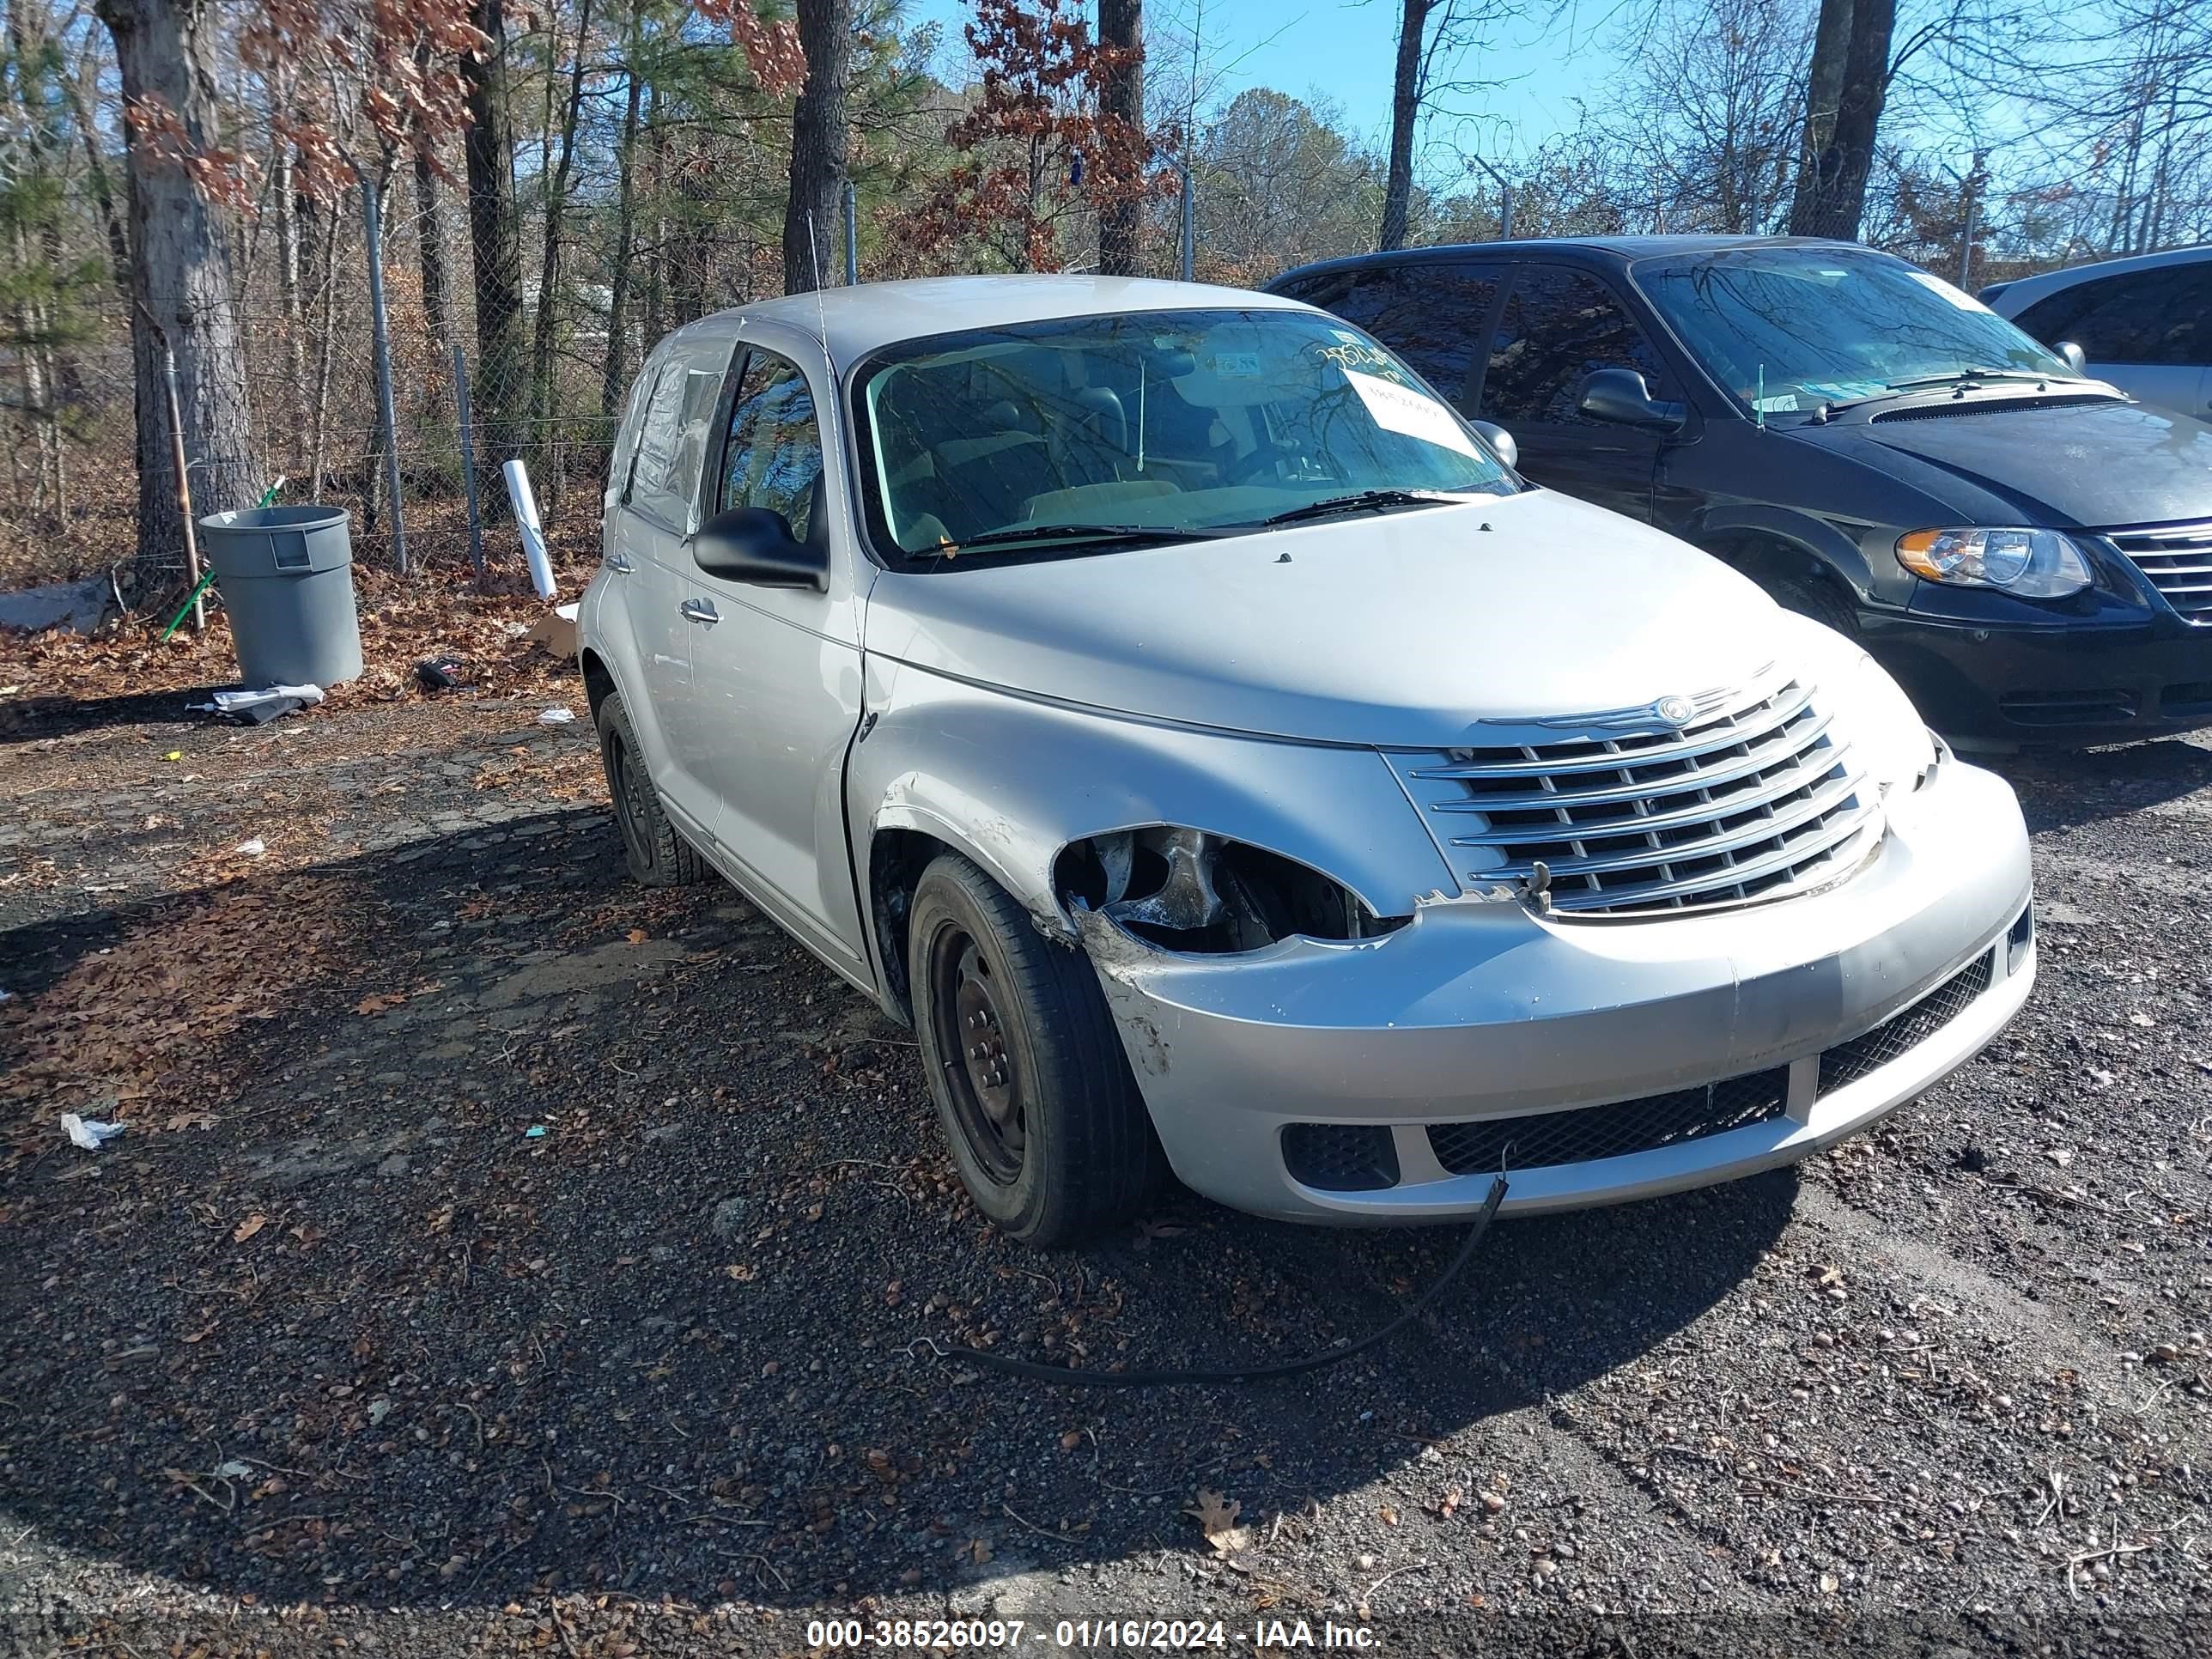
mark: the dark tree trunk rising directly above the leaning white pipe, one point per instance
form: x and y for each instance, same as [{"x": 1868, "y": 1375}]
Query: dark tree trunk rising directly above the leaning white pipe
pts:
[{"x": 497, "y": 244}]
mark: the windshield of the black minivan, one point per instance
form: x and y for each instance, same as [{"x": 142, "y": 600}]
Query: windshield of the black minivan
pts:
[{"x": 1793, "y": 328}]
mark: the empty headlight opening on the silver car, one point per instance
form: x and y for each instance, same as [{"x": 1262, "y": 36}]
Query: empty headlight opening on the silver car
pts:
[{"x": 1189, "y": 890}]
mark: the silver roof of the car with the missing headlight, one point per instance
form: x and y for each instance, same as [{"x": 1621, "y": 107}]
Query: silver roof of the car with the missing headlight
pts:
[{"x": 855, "y": 322}]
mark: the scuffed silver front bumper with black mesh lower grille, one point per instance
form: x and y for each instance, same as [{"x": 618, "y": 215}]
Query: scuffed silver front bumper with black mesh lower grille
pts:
[{"x": 1596, "y": 1061}]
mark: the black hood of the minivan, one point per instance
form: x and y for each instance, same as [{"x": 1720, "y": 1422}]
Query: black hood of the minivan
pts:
[{"x": 2072, "y": 466}]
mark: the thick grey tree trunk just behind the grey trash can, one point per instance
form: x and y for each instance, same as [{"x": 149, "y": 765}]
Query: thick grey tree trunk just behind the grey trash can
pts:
[{"x": 182, "y": 291}]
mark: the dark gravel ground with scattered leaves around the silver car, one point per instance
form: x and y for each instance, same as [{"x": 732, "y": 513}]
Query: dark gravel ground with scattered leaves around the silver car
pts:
[{"x": 503, "y": 1258}]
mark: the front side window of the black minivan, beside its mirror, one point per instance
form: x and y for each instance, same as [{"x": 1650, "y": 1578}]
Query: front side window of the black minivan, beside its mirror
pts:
[{"x": 1556, "y": 328}]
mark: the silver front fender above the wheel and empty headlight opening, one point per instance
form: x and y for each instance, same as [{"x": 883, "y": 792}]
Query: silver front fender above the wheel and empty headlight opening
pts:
[{"x": 1010, "y": 782}]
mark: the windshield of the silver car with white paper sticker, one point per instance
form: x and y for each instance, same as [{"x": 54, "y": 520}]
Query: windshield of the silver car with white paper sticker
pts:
[{"x": 1149, "y": 424}]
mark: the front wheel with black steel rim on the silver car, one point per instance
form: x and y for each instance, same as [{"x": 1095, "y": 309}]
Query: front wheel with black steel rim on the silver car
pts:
[{"x": 1025, "y": 1067}]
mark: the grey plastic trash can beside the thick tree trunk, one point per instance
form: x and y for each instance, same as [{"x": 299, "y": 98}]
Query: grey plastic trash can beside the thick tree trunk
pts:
[{"x": 286, "y": 576}]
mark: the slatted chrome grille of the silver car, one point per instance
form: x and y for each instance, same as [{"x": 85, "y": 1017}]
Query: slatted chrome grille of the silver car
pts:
[{"x": 1757, "y": 795}]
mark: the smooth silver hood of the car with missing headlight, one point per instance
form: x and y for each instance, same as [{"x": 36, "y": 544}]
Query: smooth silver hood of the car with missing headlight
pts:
[{"x": 1375, "y": 629}]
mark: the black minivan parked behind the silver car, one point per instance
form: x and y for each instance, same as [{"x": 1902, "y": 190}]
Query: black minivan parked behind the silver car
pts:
[{"x": 2027, "y": 550}]
